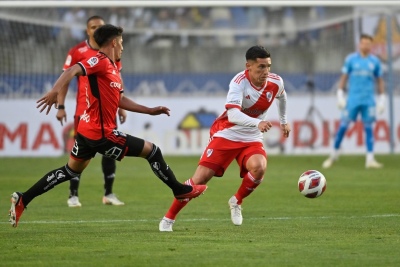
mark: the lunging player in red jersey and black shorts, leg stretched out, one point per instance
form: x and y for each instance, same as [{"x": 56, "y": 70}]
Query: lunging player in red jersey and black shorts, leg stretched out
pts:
[{"x": 96, "y": 130}]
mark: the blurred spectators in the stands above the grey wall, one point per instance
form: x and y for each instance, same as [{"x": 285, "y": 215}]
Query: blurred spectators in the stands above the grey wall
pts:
[{"x": 163, "y": 27}]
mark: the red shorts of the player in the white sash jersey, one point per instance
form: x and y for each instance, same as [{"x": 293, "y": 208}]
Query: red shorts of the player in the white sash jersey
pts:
[{"x": 220, "y": 152}]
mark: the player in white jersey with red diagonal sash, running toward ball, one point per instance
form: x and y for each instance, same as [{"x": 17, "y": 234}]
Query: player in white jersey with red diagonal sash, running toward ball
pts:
[{"x": 237, "y": 133}]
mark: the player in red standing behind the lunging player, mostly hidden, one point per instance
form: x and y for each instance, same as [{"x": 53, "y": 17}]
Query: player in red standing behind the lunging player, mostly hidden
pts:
[{"x": 80, "y": 52}]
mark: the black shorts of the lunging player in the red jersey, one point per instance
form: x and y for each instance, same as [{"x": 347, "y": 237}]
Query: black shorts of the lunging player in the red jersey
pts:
[{"x": 116, "y": 146}]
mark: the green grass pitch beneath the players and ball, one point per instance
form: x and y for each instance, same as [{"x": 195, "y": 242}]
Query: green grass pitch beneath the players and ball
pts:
[{"x": 356, "y": 222}]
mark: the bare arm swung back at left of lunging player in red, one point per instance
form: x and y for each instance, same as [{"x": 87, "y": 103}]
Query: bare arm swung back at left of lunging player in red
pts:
[{"x": 60, "y": 87}]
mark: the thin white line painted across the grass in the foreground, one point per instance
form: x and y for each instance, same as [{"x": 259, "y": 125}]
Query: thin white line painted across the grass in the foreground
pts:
[{"x": 211, "y": 220}]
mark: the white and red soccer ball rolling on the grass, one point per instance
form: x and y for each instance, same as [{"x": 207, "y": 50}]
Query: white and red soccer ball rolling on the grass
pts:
[{"x": 312, "y": 184}]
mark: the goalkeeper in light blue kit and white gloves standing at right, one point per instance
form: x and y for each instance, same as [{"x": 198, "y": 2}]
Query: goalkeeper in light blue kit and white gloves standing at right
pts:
[{"x": 360, "y": 71}]
